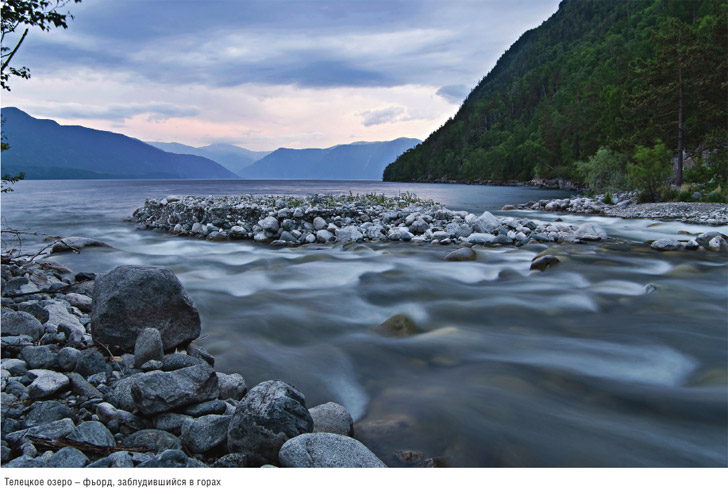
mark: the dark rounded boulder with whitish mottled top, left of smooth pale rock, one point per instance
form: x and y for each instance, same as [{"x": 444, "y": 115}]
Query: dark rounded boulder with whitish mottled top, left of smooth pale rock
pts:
[{"x": 267, "y": 417}]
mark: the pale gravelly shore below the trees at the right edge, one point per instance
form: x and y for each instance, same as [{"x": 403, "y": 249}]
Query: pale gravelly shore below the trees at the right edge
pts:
[{"x": 625, "y": 206}]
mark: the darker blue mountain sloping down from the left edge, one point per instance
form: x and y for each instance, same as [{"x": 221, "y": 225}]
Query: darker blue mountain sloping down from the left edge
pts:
[{"x": 43, "y": 149}]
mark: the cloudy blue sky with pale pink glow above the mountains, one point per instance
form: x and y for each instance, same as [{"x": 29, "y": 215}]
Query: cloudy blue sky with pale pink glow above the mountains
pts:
[{"x": 269, "y": 73}]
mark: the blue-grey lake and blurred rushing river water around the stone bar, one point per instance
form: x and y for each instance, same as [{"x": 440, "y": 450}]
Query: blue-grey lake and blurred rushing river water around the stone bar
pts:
[{"x": 582, "y": 365}]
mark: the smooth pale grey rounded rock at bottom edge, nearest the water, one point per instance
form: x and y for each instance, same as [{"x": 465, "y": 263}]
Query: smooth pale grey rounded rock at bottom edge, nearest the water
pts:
[{"x": 325, "y": 450}]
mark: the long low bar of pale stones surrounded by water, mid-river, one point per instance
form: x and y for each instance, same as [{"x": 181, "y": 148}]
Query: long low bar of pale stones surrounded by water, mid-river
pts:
[{"x": 286, "y": 221}]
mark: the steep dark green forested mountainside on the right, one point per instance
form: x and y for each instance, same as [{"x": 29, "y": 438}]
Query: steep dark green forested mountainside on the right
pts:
[{"x": 616, "y": 74}]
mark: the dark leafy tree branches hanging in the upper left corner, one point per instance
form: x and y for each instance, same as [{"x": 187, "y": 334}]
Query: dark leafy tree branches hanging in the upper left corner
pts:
[{"x": 18, "y": 14}]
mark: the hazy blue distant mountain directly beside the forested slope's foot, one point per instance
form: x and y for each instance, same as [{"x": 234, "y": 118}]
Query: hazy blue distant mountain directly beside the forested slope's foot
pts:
[{"x": 359, "y": 160}]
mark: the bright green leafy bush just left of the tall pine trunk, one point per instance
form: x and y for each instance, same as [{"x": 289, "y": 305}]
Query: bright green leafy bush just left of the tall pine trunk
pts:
[{"x": 650, "y": 170}]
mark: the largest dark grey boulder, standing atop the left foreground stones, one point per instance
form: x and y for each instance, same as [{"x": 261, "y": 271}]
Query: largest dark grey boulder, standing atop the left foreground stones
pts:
[{"x": 130, "y": 298}]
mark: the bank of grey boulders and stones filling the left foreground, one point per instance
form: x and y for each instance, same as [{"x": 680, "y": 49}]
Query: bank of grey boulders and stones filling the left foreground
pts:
[{"x": 105, "y": 371}]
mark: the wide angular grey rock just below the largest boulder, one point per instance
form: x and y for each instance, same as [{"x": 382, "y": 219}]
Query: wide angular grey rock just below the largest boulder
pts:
[{"x": 156, "y": 392}]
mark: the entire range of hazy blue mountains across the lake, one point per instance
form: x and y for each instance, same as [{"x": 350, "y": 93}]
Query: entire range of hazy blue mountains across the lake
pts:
[{"x": 44, "y": 149}]
